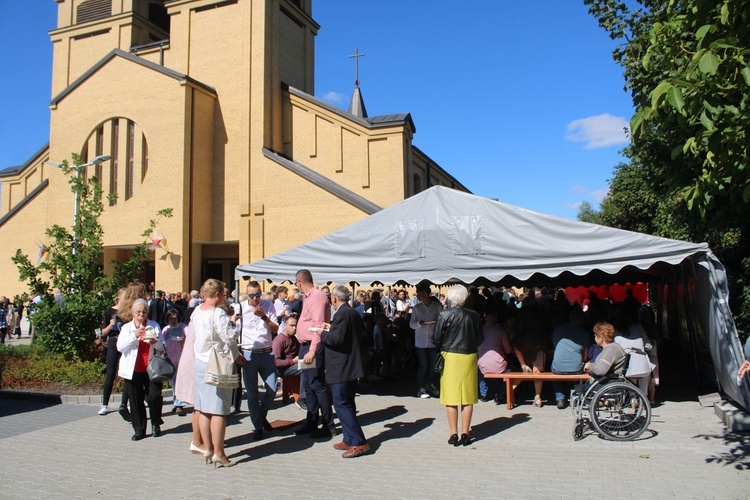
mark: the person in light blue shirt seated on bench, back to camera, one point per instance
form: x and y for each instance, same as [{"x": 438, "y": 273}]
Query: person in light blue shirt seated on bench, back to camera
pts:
[{"x": 571, "y": 343}]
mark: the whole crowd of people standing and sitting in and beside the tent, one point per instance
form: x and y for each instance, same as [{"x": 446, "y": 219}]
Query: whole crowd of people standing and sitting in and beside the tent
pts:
[{"x": 334, "y": 341}]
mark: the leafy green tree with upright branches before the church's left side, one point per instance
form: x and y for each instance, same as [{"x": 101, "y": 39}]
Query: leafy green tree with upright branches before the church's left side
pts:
[{"x": 73, "y": 268}]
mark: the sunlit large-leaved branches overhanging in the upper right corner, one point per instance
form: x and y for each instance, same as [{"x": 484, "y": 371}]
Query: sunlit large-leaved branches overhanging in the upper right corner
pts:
[{"x": 687, "y": 65}]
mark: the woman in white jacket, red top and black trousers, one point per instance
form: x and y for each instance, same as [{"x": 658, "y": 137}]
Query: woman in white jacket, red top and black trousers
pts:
[{"x": 135, "y": 342}]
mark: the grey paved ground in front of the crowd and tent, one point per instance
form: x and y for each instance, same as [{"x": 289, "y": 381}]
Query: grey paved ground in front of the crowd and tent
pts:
[{"x": 52, "y": 450}]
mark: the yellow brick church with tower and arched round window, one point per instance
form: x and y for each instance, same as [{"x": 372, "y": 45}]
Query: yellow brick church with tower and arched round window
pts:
[{"x": 206, "y": 107}]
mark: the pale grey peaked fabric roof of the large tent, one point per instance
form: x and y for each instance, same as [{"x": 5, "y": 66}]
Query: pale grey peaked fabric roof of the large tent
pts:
[{"x": 442, "y": 235}]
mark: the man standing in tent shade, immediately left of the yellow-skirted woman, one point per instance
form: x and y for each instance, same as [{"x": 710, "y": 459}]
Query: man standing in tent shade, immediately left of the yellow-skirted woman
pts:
[{"x": 423, "y": 317}]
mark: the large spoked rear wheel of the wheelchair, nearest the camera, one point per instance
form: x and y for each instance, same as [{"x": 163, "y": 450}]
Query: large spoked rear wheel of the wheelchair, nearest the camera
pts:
[{"x": 620, "y": 412}]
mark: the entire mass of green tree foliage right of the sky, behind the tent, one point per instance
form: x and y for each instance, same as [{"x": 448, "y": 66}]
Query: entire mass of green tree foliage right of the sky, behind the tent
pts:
[{"x": 687, "y": 66}]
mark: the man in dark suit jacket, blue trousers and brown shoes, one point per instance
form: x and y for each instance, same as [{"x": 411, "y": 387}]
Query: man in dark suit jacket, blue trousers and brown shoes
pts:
[{"x": 343, "y": 360}]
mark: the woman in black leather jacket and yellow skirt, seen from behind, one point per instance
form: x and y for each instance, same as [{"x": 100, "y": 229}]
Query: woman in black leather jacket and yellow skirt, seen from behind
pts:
[{"x": 458, "y": 333}]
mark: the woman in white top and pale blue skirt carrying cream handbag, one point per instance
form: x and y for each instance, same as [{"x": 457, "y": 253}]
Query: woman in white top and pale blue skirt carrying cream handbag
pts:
[{"x": 215, "y": 335}]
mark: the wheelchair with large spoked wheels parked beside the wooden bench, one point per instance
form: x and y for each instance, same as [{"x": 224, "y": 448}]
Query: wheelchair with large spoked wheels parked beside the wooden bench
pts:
[{"x": 612, "y": 406}]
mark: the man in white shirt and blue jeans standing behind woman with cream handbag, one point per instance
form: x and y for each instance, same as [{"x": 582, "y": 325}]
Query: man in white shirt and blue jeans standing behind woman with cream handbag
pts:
[{"x": 258, "y": 328}]
